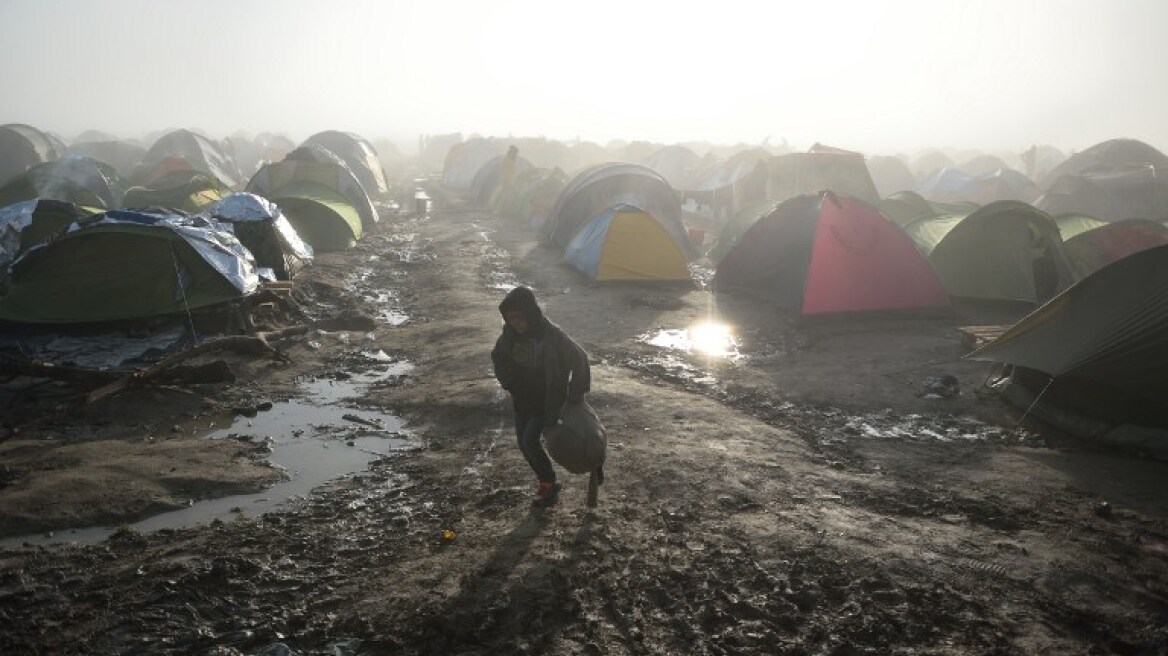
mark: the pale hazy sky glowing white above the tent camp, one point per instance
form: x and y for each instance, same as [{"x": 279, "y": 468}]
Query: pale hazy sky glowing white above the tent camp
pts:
[{"x": 875, "y": 76}]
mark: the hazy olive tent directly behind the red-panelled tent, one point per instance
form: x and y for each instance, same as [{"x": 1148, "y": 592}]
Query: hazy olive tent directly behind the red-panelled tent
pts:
[{"x": 822, "y": 168}]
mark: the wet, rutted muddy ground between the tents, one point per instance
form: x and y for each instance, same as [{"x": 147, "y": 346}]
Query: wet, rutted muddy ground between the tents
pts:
[{"x": 804, "y": 497}]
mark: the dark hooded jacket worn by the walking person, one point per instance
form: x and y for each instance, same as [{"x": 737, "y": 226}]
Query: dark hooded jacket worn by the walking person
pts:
[{"x": 567, "y": 375}]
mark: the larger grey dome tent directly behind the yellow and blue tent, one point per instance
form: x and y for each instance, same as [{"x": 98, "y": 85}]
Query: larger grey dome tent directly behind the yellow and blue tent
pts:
[{"x": 607, "y": 185}]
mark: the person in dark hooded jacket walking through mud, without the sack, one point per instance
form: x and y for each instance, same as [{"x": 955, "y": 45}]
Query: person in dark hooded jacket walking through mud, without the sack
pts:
[{"x": 543, "y": 369}]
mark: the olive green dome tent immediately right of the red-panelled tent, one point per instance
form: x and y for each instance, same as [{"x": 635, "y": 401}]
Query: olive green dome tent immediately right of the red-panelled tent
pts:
[{"x": 1006, "y": 252}]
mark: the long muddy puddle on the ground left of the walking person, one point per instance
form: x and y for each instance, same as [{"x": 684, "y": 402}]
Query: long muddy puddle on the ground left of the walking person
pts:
[{"x": 314, "y": 441}]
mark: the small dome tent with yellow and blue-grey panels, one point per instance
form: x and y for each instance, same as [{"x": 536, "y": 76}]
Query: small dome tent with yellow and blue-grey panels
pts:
[{"x": 628, "y": 243}]
